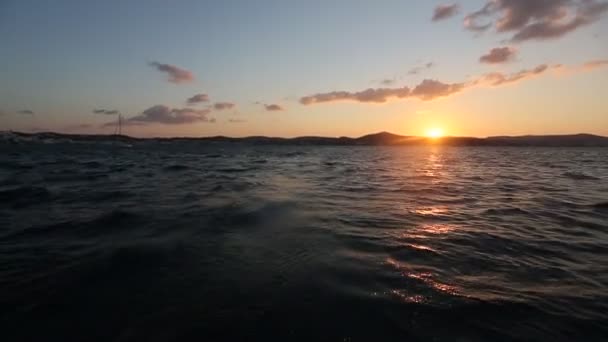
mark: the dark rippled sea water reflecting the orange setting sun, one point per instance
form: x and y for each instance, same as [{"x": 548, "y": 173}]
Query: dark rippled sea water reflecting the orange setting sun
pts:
[{"x": 181, "y": 241}]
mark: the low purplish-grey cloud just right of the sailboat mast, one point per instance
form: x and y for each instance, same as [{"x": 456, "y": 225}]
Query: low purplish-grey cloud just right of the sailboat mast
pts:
[{"x": 161, "y": 114}]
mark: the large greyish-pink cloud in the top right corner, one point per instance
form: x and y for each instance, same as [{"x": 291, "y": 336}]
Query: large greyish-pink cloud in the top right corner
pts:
[{"x": 535, "y": 19}]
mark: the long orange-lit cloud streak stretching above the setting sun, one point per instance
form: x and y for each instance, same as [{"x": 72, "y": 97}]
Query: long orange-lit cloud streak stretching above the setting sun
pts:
[{"x": 429, "y": 90}]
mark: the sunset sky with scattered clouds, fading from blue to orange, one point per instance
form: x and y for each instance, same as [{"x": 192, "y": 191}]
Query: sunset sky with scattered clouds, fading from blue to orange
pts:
[{"x": 298, "y": 68}]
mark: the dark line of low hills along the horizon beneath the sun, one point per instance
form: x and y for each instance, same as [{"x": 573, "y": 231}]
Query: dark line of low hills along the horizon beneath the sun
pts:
[{"x": 377, "y": 139}]
